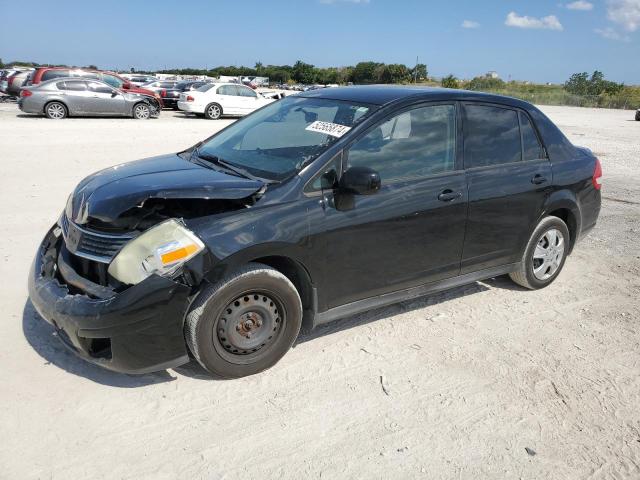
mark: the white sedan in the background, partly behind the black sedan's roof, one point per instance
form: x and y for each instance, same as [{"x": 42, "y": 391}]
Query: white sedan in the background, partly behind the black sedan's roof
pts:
[{"x": 214, "y": 100}]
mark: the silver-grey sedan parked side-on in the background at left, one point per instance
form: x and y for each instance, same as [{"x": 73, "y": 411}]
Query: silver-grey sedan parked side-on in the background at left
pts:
[{"x": 62, "y": 97}]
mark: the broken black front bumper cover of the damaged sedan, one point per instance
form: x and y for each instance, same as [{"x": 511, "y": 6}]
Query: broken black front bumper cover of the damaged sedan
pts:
[{"x": 139, "y": 330}]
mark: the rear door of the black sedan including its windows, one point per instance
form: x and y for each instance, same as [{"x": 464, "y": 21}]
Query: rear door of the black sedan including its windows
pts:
[{"x": 509, "y": 178}]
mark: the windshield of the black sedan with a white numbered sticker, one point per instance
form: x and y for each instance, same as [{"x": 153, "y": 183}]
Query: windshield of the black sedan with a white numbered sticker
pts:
[{"x": 282, "y": 138}]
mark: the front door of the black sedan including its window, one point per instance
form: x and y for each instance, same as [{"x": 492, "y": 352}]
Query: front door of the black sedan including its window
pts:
[{"x": 411, "y": 231}]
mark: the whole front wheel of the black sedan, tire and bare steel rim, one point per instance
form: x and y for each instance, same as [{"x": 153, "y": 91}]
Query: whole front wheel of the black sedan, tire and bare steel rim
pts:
[{"x": 215, "y": 325}]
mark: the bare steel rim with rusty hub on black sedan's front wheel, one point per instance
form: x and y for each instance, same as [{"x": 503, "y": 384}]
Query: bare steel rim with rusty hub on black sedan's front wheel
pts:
[{"x": 250, "y": 324}]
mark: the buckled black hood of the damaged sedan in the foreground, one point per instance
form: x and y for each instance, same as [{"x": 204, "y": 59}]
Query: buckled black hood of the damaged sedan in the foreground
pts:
[{"x": 107, "y": 194}]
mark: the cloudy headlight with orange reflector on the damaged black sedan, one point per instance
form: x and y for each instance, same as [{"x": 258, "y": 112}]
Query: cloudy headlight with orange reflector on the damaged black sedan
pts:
[{"x": 160, "y": 250}]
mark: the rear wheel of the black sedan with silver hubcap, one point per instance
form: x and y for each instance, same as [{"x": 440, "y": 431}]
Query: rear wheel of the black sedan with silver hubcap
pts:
[{"x": 535, "y": 273}]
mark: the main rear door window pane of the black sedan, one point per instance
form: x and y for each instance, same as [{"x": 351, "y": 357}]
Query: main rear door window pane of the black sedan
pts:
[{"x": 491, "y": 136}]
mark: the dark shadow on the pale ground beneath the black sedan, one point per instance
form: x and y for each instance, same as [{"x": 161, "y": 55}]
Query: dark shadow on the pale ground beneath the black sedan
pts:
[{"x": 41, "y": 336}]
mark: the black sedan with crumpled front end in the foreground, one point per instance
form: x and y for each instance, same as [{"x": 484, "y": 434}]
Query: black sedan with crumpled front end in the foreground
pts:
[{"x": 313, "y": 208}]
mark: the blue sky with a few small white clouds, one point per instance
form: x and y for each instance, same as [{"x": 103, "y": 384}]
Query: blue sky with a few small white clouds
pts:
[{"x": 541, "y": 40}]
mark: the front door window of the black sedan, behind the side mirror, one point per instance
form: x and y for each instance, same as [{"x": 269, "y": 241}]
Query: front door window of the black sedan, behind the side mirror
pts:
[{"x": 413, "y": 144}]
